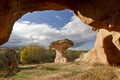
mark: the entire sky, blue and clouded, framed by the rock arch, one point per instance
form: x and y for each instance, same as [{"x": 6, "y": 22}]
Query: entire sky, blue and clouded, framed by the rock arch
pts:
[{"x": 44, "y": 27}]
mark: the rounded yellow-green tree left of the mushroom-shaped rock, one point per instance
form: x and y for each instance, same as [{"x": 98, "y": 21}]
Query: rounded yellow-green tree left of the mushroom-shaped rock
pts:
[{"x": 32, "y": 54}]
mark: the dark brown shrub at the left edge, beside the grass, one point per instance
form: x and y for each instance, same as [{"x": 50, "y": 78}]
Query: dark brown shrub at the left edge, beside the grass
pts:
[{"x": 9, "y": 61}]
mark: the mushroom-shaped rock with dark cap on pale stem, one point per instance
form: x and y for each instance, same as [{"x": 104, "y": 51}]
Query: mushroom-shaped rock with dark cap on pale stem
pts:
[{"x": 60, "y": 46}]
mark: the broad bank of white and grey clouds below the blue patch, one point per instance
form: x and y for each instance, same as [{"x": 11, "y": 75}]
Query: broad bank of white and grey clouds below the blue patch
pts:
[{"x": 25, "y": 32}]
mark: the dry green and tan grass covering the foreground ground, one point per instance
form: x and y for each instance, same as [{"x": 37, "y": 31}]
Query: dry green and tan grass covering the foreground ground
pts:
[{"x": 67, "y": 71}]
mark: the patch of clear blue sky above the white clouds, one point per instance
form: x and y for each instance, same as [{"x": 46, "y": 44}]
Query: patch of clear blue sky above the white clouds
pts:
[{"x": 56, "y": 19}]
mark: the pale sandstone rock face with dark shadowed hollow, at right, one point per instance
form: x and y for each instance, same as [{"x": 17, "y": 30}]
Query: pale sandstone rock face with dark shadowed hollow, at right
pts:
[{"x": 106, "y": 49}]
